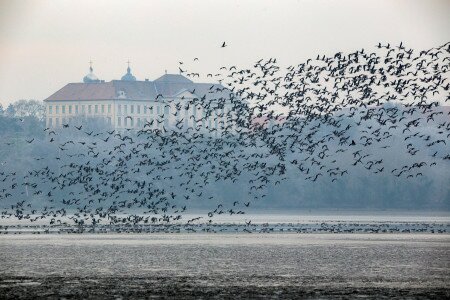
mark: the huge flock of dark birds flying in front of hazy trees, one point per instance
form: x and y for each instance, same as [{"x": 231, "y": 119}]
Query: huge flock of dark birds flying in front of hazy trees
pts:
[{"x": 317, "y": 120}]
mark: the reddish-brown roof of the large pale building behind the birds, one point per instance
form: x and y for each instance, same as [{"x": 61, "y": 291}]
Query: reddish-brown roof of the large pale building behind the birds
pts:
[{"x": 169, "y": 85}]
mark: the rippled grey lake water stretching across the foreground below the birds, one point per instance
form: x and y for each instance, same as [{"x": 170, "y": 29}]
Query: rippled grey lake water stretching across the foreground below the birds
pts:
[{"x": 228, "y": 265}]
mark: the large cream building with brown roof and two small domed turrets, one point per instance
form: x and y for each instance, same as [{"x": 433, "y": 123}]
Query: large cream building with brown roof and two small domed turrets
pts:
[{"x": 170, "y": 100}]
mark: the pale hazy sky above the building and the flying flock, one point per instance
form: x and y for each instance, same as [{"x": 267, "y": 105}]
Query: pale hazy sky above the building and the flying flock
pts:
[{"x": 45, "y": 44}]
